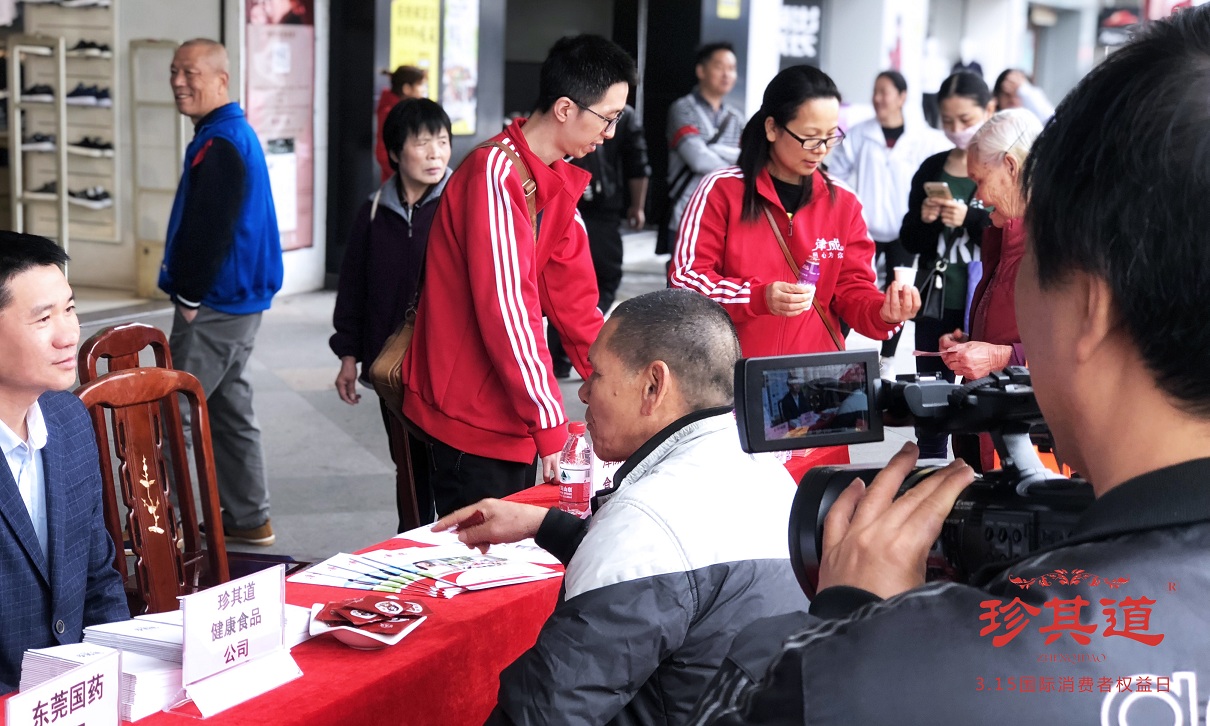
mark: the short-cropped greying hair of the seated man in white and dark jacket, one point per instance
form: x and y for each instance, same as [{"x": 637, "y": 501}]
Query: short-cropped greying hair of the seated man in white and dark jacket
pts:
[{"x": 689, "y": 332}]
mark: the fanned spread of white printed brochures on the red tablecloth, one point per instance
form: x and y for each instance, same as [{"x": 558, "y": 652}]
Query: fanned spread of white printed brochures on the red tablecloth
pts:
[{"x": 440, "y": 572}]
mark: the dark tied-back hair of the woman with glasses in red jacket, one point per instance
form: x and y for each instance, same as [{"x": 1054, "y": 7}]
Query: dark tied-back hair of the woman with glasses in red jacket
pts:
[{"x": 785, "y": 95}]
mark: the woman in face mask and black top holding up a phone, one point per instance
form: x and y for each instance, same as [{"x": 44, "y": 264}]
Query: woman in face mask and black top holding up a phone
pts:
[{"x": 948, "y": 229}]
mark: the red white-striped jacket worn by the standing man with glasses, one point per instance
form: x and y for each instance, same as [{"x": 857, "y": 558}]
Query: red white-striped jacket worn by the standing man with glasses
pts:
[{"x": 479, "y": 374}]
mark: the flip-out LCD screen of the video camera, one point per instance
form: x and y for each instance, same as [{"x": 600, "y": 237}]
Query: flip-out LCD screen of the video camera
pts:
[{"x": 803, "y": 402}]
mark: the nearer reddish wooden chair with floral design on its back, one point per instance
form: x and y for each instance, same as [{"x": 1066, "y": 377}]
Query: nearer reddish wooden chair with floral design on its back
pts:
[{"x": 168, "y": 563}]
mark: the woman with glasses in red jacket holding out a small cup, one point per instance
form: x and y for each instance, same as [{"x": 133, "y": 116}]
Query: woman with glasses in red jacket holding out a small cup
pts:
[{"x": 750, "y": 229}]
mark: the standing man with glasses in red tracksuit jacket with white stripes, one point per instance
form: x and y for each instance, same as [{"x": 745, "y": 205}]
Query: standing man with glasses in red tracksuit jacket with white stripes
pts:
[{"x": 479, "y": 374}]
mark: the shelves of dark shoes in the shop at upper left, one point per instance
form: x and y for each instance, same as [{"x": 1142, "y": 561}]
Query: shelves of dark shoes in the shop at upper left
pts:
[{"x": 79, "y": 83}]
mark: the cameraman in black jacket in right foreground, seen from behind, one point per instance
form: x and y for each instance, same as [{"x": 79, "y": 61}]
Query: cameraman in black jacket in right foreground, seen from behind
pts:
[{"x": 1108, "y": 626}]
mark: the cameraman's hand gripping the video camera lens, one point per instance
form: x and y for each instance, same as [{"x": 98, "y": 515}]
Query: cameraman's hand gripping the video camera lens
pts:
[{"x": 880, "y": 544}]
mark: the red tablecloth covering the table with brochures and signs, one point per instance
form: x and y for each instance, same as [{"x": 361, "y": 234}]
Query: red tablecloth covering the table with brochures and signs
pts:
[{"x": 447, "y": 672}]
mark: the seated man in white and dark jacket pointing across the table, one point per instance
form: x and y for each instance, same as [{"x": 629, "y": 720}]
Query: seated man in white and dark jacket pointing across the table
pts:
[{"x": 688, "y": 550}]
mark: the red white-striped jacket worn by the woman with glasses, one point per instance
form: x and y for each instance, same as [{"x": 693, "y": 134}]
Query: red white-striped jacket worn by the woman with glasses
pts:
[{"x": 733, "y": 262}]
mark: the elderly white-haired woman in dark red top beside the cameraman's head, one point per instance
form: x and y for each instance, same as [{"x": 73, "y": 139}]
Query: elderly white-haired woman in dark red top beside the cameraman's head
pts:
[{"x": 995, "y": 162}]
